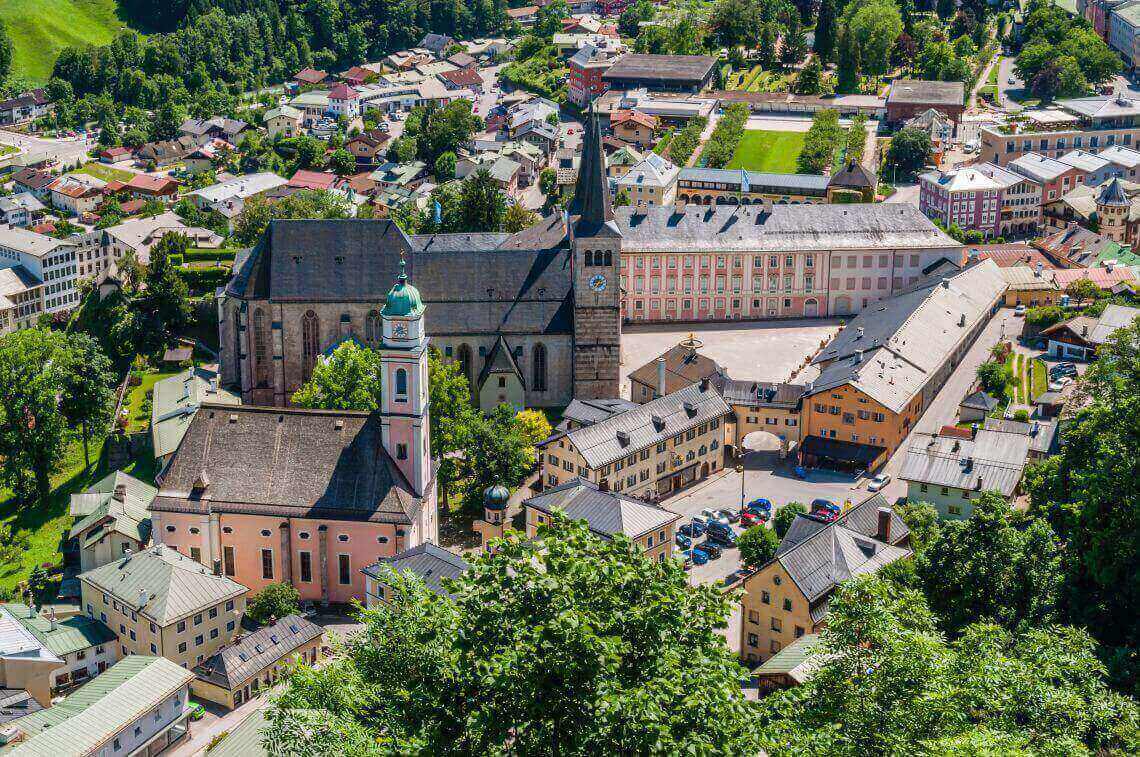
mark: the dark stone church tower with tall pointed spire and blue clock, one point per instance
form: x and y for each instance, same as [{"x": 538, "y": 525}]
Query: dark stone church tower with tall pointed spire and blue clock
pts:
[{"x": 596, "y": 242}]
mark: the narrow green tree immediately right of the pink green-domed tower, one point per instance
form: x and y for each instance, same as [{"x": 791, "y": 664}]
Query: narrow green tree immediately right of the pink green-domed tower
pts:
[{"x": 452, "y": 417}]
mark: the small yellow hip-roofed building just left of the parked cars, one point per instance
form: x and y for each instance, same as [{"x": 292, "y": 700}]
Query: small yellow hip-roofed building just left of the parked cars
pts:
[{"x": 607, "y": 515}]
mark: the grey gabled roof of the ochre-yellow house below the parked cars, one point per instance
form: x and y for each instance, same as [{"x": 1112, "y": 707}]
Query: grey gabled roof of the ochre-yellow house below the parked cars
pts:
[{"x": 819, "y": 557}]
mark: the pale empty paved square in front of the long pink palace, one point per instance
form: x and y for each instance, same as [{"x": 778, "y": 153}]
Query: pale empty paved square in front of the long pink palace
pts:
[{"x": 768, "y": 351}]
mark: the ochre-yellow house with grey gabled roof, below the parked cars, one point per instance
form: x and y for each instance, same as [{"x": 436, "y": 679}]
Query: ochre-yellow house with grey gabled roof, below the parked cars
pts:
[{"x": 788, "y": 597}]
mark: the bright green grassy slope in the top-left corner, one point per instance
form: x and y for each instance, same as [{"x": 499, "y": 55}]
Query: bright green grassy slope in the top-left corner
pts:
[{"x": 40, "y": 28}]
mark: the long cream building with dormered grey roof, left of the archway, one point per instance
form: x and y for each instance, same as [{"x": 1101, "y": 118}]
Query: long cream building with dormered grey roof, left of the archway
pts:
[{"x": 648, "y": 452}]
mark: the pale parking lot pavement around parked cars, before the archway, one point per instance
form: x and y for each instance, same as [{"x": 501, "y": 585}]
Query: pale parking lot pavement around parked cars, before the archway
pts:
[{"x": 766, "y": 476}]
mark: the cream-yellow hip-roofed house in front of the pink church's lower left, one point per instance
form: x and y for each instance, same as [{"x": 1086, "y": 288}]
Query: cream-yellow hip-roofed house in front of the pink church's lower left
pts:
[{"x": 161, "y": 603}]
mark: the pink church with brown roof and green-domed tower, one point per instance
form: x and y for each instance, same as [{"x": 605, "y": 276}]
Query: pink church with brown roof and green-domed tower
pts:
[{"x": 311, "y": 498}]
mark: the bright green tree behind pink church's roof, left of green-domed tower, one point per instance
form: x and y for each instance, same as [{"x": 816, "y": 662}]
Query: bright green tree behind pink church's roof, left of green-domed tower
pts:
[{"x": 349, "y": 380}]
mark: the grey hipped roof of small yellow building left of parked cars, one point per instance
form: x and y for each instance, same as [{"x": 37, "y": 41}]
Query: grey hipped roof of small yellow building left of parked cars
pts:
[{"x": 607, "y": 514}]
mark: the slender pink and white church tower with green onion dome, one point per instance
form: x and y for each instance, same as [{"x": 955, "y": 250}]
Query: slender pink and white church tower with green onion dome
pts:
[{"x": 404, "y": 385}]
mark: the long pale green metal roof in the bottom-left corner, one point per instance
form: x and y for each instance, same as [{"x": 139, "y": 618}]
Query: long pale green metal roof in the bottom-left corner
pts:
[{"x": 95, "y": 713}]
